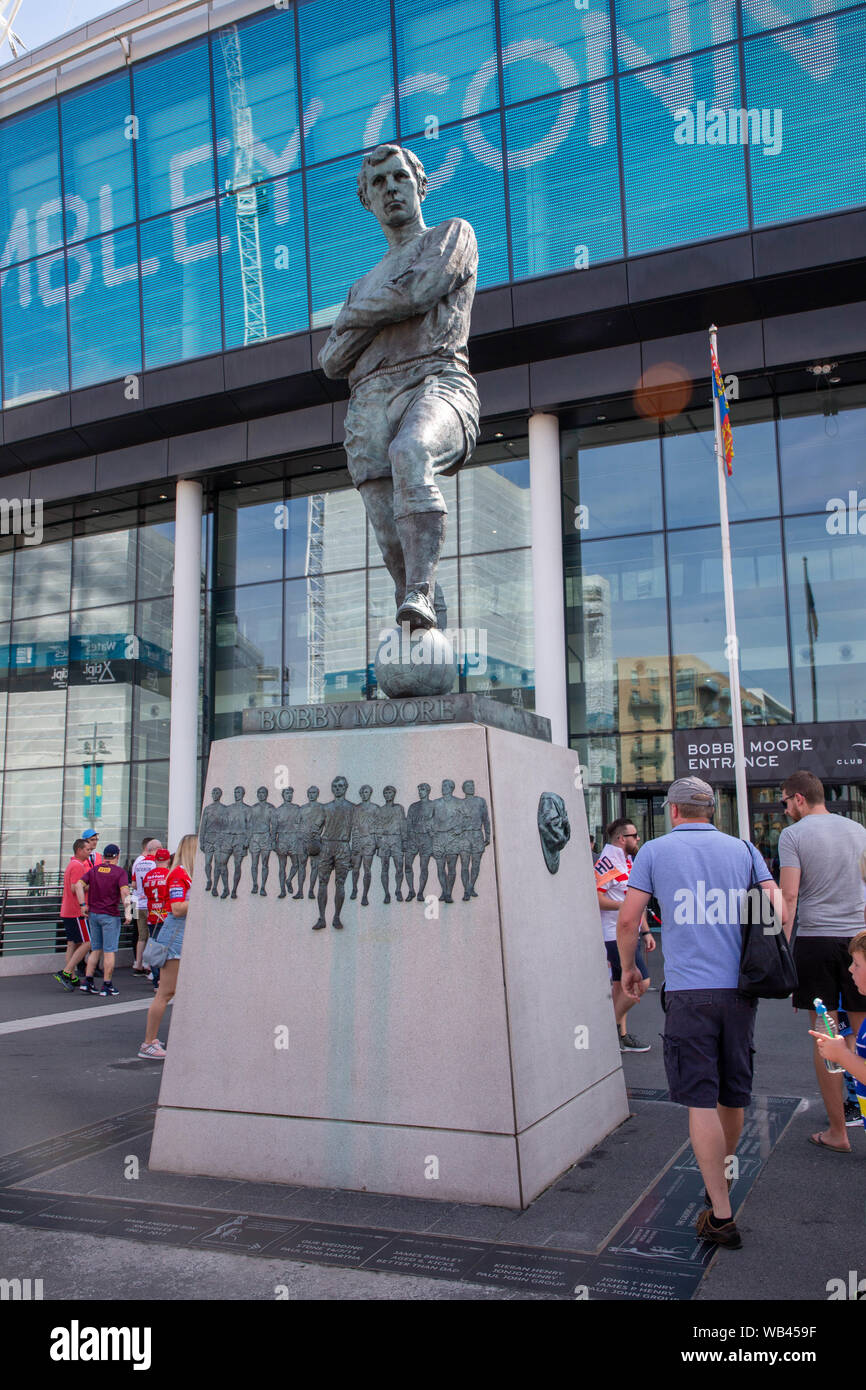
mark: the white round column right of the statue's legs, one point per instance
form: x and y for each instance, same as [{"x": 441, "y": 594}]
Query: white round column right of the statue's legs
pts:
[{"x": 548, "y": 576}]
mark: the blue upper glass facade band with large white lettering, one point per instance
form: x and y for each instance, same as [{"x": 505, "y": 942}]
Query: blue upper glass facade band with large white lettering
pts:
[{"x": 559, "y": 130}]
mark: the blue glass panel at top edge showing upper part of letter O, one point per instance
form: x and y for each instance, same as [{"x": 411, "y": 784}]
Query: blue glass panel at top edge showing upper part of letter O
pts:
[{"x": 548, "y": 45}]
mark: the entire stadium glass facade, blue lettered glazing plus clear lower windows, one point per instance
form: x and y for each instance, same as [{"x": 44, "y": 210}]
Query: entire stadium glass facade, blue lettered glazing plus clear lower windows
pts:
[{"x": 201, "y": 201}]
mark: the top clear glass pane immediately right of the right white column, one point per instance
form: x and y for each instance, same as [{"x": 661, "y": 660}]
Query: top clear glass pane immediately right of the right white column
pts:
[{"x": 611, "y": 489}]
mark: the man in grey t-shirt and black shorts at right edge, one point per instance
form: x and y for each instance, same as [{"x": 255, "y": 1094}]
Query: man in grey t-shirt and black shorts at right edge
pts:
[{"x": 821, "y": 882}]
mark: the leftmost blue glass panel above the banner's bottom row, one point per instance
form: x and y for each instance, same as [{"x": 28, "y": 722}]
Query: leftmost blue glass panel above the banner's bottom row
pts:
[{"x": 30, "y": 184}]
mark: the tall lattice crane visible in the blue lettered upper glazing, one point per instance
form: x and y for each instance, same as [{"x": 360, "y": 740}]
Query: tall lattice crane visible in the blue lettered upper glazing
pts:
[{"x": 248, "y": 198}]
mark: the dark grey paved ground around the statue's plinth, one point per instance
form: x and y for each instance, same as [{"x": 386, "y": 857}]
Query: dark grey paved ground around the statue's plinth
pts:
[{"x": 803, "y": 1220}]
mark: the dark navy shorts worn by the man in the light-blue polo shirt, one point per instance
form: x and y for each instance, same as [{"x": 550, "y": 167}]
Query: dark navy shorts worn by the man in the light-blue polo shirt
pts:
[{"x": 710, "y": 1047}]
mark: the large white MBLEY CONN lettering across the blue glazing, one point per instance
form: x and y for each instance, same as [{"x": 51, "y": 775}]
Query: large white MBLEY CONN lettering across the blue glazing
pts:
[{"x": 815, "y": 52}]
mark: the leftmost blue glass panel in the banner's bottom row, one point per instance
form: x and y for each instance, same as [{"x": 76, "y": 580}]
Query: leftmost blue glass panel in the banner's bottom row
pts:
[{"x": 35, "y": 359}]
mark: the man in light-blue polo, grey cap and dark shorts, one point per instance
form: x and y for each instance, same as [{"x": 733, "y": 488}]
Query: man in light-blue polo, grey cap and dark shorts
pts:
[{"x": 704, "y": 882}]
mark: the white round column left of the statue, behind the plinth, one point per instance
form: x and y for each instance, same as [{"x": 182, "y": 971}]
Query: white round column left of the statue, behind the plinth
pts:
[{"x": 186, "y": 623}]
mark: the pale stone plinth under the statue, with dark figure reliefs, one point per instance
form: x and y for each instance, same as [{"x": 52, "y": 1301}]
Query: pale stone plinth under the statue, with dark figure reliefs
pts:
[{"x": 462, "y": 1052}]
